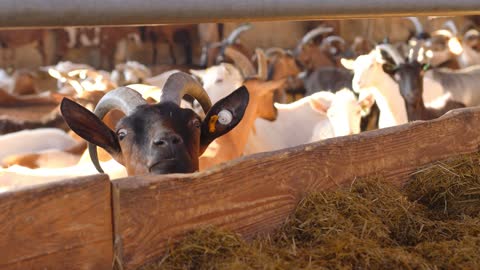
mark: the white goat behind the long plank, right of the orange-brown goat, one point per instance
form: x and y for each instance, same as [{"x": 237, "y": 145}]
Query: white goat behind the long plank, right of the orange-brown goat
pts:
[{"x": 316, "y": 117}]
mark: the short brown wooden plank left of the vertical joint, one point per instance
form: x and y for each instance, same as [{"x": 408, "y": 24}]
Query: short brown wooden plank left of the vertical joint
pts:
[{"x": 59, "y": 225}]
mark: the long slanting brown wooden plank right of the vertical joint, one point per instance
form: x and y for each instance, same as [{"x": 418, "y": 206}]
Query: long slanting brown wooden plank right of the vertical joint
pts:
[{"x": 255, "y": 194}]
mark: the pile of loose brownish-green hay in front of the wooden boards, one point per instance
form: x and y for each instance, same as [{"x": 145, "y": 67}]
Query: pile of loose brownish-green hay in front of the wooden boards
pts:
[{"x": 432, "y": 223}]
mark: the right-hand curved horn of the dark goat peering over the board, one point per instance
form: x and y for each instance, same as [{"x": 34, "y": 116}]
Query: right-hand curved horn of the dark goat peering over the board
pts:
[{"x": 180, "y": 84}]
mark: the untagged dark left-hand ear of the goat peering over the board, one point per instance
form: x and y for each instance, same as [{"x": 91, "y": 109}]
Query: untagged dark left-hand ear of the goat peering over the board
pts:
[{"x": 88, "y": 126}]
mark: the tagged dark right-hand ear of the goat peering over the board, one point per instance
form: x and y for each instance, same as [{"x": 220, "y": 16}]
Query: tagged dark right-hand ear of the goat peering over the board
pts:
[{"x": 223, "y": 116}]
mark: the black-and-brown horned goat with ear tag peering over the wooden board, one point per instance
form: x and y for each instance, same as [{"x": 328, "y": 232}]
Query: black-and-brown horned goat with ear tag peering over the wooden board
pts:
[{"x": 161, "y": 138}]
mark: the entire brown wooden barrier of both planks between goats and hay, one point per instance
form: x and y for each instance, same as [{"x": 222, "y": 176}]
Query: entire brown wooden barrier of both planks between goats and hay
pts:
[{"x": 72, "y": 224}]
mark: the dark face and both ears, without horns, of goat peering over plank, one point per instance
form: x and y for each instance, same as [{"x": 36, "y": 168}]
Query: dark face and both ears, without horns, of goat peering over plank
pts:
[{"x": 161, "y": 138}]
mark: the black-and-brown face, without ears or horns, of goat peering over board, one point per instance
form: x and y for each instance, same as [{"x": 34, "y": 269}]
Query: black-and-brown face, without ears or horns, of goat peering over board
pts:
[{"x": 160, "y": 139}]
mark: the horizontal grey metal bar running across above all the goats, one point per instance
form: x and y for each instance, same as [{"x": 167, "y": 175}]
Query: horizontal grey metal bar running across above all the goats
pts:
[{"x": 52, "y": 13}]
